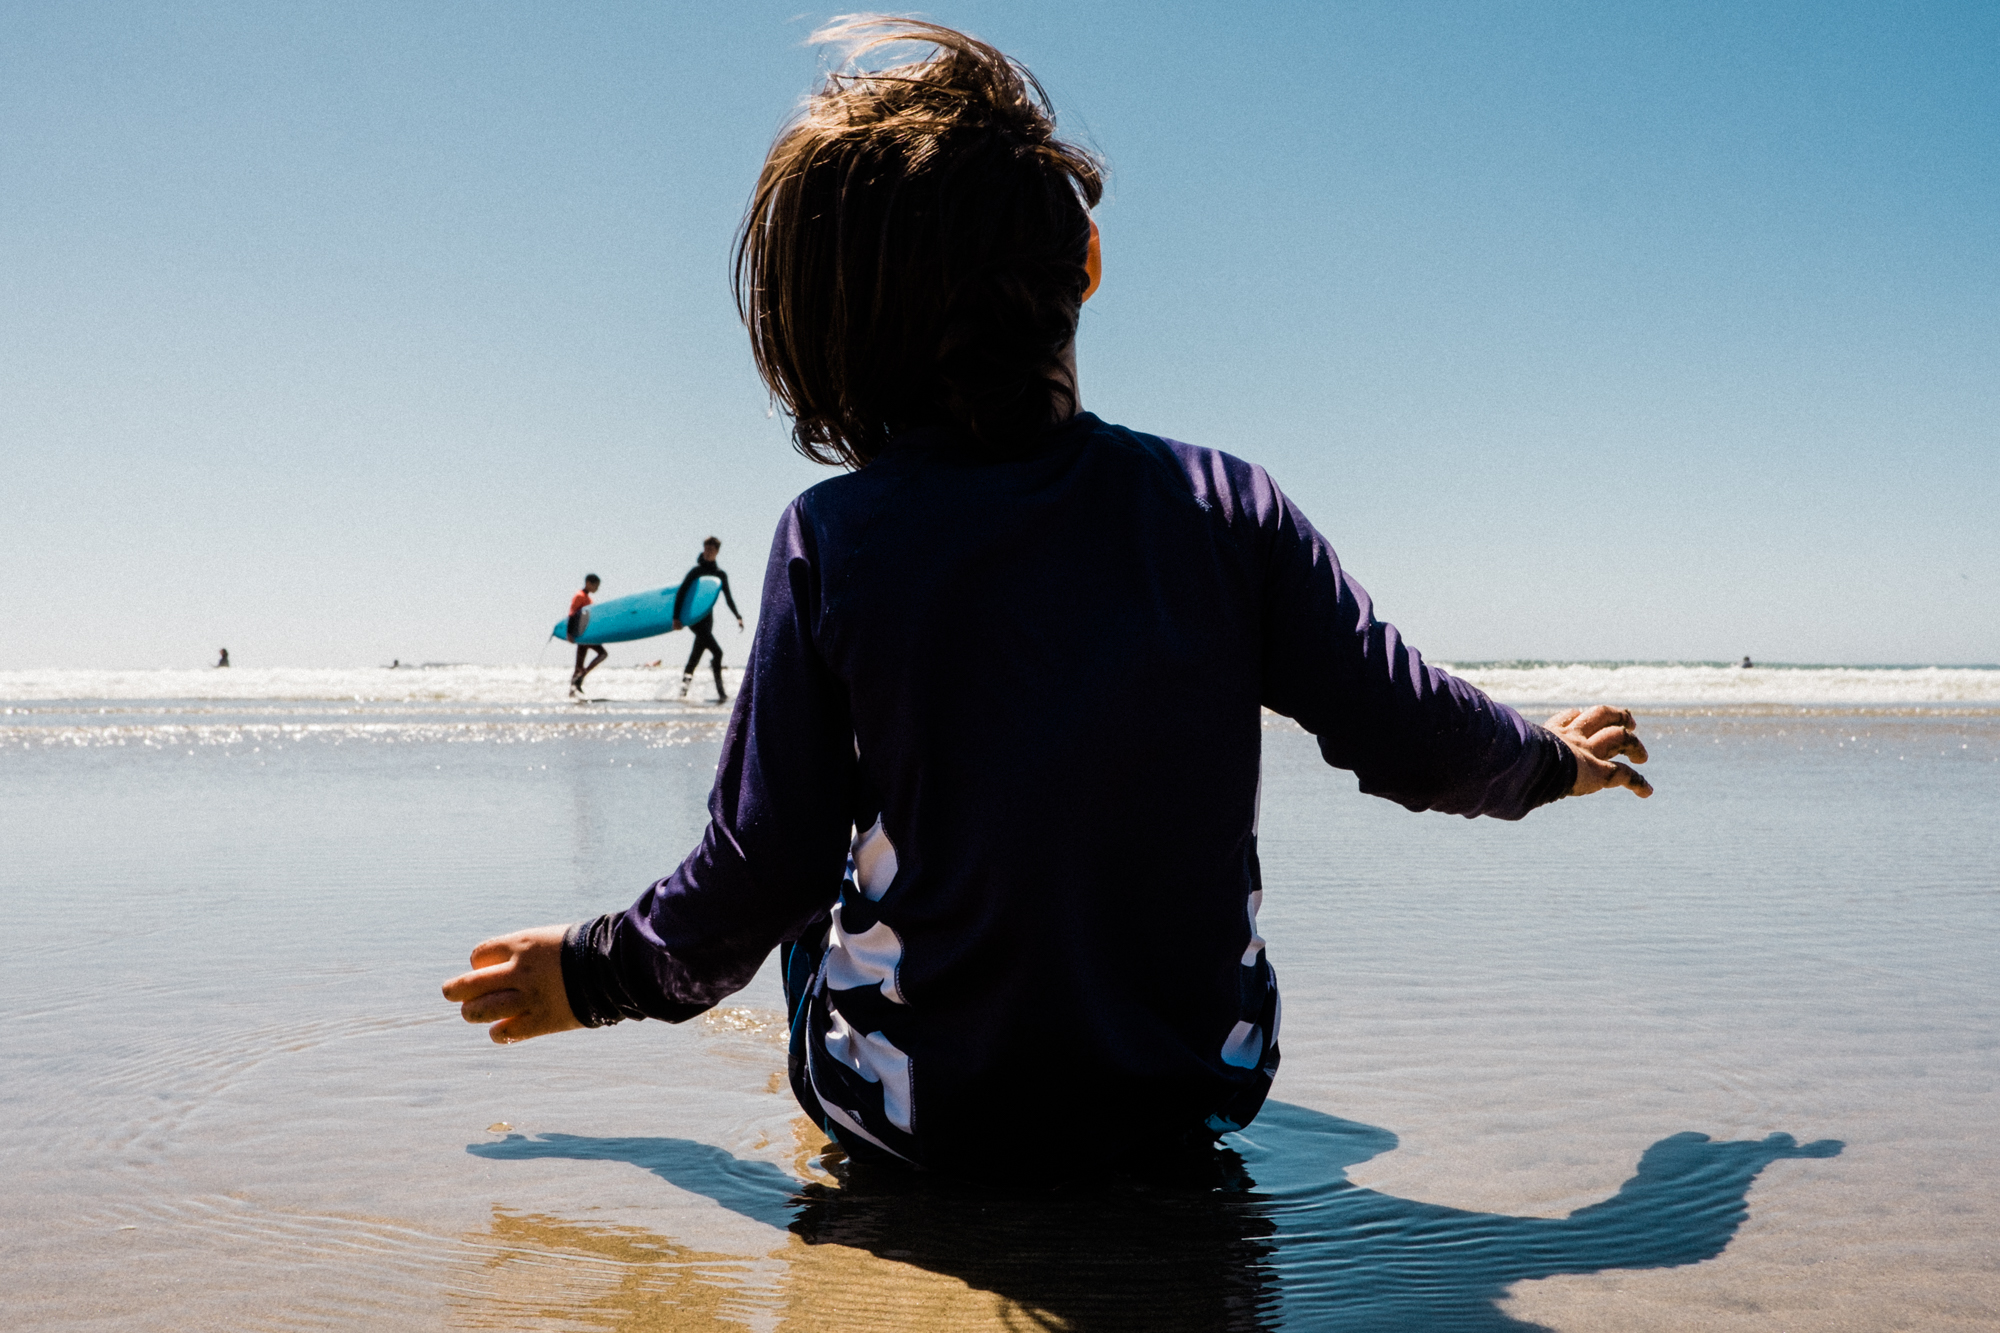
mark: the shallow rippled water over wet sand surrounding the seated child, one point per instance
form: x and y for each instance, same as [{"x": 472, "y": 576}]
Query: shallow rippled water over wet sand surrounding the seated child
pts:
[{"x": 237, "y": 1102}]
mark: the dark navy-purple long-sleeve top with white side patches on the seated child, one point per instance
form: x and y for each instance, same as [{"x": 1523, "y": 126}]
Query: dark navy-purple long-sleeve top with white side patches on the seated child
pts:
[{"x": 1037, "y": 688}]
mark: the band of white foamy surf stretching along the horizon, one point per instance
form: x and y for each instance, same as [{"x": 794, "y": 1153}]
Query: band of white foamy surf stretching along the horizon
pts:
[{"x": 1527, "y": 684}]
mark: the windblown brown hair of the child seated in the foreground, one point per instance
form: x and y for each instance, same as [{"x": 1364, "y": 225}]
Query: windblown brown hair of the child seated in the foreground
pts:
[{"x": 915, "y": 253}]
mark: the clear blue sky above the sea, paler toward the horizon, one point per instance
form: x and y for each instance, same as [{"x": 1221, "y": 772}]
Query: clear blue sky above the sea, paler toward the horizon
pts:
[{"x": 337, "y": 333}]
